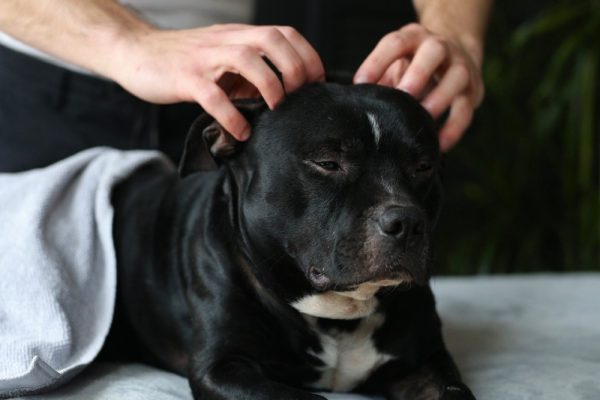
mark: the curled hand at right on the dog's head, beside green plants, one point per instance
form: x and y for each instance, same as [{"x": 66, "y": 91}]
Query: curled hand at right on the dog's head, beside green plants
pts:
[{"x": 438, "y": 70}]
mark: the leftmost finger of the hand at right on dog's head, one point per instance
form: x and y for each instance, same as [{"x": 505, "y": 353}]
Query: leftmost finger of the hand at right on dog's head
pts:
[{"x": 402, "y": 43}]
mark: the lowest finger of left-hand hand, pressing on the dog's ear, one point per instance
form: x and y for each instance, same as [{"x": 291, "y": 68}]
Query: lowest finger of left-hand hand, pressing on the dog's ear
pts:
[{"x": 216, "y": 103}]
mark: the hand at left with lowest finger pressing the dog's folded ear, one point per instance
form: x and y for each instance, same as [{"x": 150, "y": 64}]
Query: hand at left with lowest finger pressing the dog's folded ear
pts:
[{"x": 215, "y": 64}]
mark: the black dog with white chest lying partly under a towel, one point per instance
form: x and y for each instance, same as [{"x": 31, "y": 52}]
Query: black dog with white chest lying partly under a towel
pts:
[{"x": 295, "y": 262}]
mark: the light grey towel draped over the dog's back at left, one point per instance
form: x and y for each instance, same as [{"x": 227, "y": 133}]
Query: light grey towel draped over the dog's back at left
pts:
[{"x": 57, "y": 266}]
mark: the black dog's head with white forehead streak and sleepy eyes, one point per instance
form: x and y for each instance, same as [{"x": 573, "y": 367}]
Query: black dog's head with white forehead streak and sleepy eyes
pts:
[{"x": 339, "y": 181}]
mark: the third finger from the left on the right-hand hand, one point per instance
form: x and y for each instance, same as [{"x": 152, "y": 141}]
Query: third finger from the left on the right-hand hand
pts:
[{"x": 455, "y": 81}]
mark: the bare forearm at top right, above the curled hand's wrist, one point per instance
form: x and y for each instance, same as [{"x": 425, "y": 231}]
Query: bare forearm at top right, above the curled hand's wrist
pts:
[{"x": 465, "y": 20}]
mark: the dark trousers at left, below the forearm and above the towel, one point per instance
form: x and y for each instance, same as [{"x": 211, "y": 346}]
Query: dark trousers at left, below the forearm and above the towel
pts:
[{"x": 48, "y": 113}]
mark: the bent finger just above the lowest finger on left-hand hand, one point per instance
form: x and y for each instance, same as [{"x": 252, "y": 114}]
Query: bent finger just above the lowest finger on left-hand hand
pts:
[{"x": 247, "y": 62}]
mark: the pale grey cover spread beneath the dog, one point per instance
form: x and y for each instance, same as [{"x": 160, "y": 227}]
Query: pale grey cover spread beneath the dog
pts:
[{"x": 524, "y": 337}]
